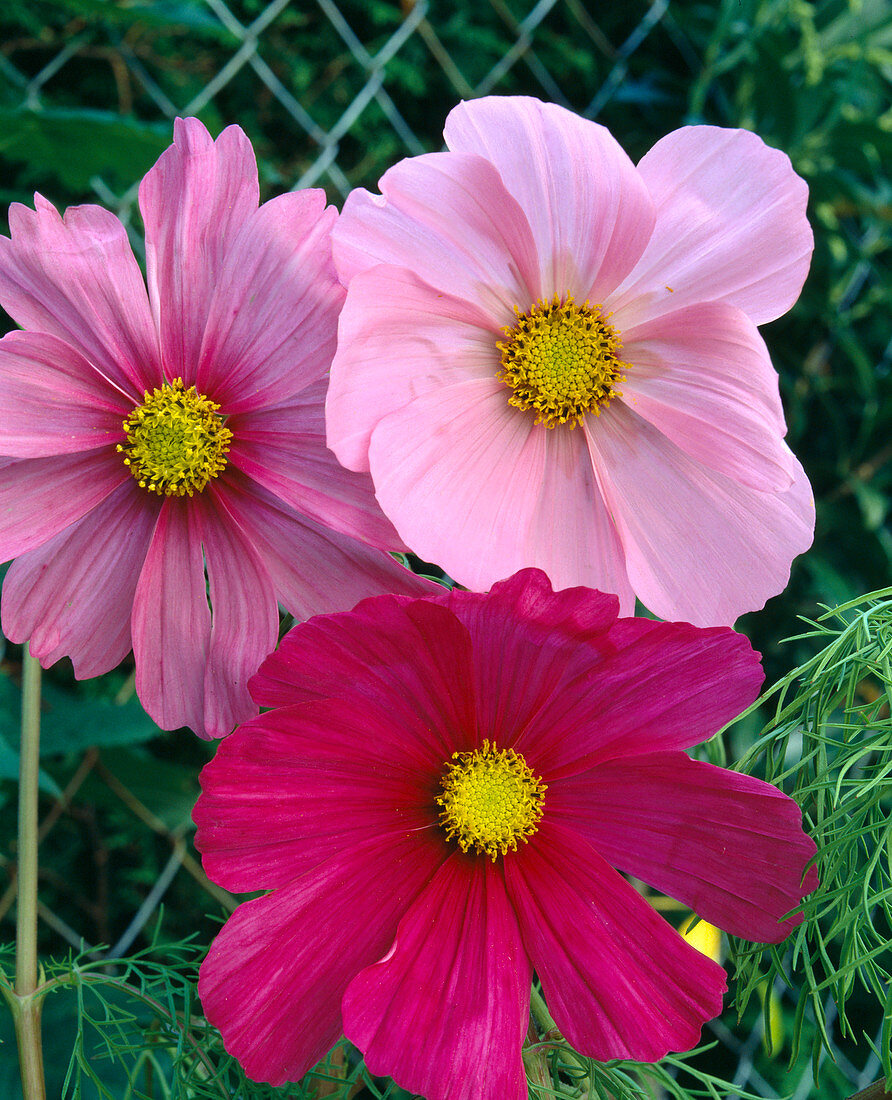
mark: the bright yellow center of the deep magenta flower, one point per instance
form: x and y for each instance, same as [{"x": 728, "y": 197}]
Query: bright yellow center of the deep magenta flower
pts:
[{"x": 491, "y": 800}]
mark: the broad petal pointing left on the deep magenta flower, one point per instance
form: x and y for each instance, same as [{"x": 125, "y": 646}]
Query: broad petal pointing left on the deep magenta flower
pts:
[{"x": 268, "y": 812}]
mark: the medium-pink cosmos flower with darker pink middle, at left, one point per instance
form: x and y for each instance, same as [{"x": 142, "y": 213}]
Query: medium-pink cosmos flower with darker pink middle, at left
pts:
[{"x": 170, "y": 446}]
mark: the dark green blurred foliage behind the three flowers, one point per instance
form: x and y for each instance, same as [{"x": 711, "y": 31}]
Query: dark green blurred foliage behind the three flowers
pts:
[{"x": 332, "y": 93}]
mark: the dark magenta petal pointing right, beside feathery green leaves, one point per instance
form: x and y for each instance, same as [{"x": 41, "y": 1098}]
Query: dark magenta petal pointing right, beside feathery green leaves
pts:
[{"x": 729, "y": 846}]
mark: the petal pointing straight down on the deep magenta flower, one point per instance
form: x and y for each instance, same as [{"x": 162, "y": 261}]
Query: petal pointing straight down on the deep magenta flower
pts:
[{"x": 445, "y": 1014}]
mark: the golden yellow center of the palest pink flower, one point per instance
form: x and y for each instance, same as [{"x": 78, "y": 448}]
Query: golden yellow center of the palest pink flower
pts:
[{"x": 561, "y": 360}]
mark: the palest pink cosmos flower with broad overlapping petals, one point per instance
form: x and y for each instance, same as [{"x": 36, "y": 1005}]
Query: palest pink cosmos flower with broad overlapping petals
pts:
[{"x": 549, "y": 357}]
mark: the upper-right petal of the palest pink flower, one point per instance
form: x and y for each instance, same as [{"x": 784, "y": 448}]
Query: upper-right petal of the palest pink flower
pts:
[{"x": 731, "y": 227}]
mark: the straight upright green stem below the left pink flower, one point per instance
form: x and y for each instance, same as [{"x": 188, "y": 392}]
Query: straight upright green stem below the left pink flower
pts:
[{"x": 28, "y": 1010}]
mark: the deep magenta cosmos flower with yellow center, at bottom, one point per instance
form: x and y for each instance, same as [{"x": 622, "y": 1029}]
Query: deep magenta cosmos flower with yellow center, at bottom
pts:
[{"x": 439, "y": 801}]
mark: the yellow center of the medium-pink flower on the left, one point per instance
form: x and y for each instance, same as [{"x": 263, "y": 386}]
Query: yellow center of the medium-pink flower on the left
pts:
[{"x": 175, "y": 442}]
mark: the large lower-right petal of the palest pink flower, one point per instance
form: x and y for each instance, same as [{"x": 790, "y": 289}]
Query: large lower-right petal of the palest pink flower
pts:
[{"x": 699, "y": 546}]
